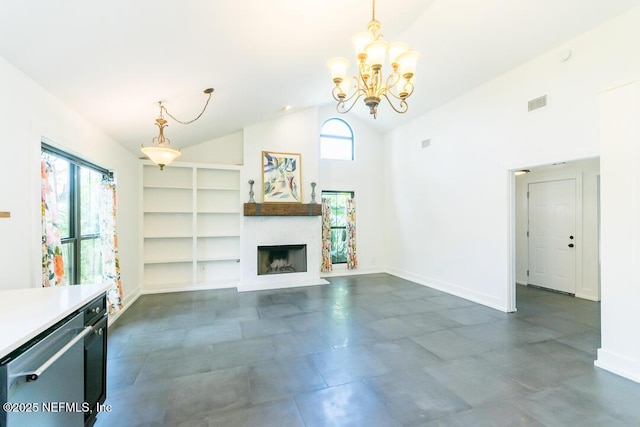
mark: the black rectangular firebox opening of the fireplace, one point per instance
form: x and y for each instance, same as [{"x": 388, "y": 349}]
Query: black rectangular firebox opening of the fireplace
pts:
[{"x": 282, "y": 259}]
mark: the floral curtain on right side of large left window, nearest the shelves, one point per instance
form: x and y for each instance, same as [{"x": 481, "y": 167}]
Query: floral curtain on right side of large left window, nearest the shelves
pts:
[{"x": 109, "y": 237}]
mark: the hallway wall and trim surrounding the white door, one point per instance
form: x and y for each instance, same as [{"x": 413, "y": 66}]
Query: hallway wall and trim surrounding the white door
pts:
[{"x": 585, "y": 173}]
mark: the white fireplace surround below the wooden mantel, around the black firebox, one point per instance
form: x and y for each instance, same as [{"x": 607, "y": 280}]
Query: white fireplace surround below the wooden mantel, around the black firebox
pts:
[{"x": 280, "y": 230}]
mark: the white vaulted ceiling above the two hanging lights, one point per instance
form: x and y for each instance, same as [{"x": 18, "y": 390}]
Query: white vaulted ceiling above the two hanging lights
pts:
[{"x": 113, "y": 61}]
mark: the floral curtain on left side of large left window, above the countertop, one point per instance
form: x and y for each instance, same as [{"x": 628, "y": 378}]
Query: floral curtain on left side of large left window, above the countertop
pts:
[{"x": 52, "y": 264}]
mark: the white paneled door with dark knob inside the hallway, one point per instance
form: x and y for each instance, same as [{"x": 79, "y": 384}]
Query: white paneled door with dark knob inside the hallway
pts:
[{"x": 552, "y": 237}]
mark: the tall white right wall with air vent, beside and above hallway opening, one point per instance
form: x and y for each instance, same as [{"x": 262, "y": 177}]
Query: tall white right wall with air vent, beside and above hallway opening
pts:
[{"x": 448, "y": 206}]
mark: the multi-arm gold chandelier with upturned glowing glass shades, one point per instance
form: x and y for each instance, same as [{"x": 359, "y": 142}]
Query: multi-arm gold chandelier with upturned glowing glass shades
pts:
[{"x": 370, "y": 82}]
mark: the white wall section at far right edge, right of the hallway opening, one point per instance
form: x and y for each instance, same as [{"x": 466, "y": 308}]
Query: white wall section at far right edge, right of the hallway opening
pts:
[{"x": 620, "y": 231}]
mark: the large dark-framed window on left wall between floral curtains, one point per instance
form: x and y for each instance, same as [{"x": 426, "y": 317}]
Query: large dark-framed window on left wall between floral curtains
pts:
[{"x": 78, "y": 191}]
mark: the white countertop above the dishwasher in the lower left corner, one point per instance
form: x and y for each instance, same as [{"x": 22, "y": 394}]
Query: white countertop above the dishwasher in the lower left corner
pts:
[{"x": 25, "y": 313}]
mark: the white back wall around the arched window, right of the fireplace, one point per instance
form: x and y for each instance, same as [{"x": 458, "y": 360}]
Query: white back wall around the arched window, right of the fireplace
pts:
[{"x": 364, "y": 177}]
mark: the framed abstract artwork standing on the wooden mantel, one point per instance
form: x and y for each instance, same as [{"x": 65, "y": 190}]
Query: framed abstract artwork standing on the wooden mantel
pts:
[{"x": 281, "y": 177}]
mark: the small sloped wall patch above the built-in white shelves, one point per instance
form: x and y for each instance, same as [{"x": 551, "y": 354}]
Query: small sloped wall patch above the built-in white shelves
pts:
[{"x": 226, "y": 150}]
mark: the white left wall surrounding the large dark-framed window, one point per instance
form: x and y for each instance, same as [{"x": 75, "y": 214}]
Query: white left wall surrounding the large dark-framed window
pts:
[{"x": 28, "y": 113}]
